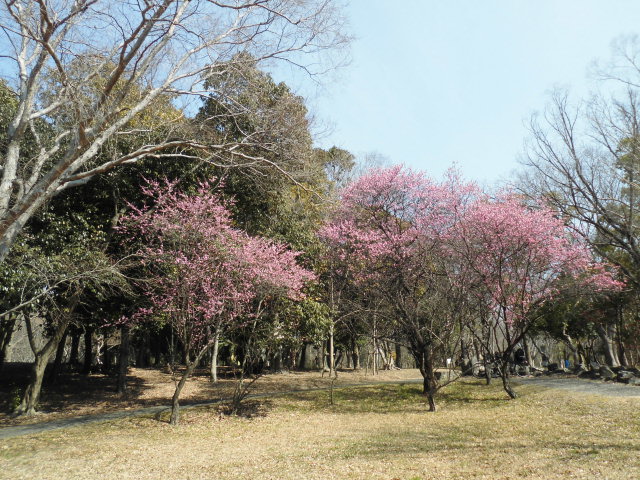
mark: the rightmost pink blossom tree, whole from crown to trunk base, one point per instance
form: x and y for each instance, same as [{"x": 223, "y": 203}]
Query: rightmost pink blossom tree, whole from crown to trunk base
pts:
[{"x": 515, "y": 258}]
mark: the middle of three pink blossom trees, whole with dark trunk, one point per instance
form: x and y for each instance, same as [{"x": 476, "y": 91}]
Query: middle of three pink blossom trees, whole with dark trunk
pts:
[{"x": 391, "y": 228}]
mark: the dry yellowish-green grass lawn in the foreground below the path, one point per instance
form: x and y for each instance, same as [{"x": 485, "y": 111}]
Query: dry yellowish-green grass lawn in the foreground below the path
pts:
[{"x": 381, "y": 432}]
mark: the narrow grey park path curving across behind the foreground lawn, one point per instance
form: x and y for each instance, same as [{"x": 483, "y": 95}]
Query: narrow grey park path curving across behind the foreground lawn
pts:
[{"x": 563, "y": 383}]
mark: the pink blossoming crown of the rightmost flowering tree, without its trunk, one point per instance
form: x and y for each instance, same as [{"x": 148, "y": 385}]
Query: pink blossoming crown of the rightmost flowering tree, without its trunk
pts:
[{"x": 517, "y": 255}]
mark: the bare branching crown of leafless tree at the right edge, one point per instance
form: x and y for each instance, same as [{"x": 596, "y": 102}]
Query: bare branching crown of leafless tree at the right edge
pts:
[{"x": 584, "y": 159}]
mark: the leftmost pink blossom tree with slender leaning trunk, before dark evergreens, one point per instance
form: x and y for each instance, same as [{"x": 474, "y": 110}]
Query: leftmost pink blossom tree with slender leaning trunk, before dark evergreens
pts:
[{"x": 205, "y": 275}]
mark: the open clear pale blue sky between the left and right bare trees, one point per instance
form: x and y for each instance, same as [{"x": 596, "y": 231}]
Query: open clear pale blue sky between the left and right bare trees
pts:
[{"x": 437, "y": 82}]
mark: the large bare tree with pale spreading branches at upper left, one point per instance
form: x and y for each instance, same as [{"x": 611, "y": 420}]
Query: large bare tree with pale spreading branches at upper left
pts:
[{"x": 87, "y": 68}]
